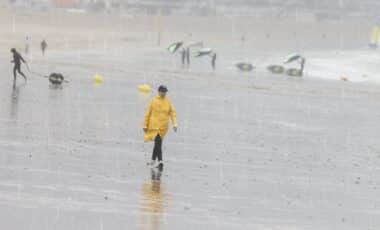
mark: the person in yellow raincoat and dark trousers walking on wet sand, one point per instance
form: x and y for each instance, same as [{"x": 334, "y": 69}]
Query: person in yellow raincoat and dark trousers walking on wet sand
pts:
[{"x": 156, "y": 123}]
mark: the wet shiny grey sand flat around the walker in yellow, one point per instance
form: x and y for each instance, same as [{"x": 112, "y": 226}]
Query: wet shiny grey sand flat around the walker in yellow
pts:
[{"x": 253, "y": 151}]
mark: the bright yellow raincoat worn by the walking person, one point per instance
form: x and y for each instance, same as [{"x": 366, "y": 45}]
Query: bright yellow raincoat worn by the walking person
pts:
[{"x": 157, "y": 118}]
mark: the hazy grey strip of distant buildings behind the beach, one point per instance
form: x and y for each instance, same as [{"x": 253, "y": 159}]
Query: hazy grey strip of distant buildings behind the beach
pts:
[{"x": 310, "y": 9}]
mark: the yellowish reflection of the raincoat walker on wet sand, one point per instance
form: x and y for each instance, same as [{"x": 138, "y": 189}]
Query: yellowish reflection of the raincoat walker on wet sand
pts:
[{"x": 153, "y": 203}]
